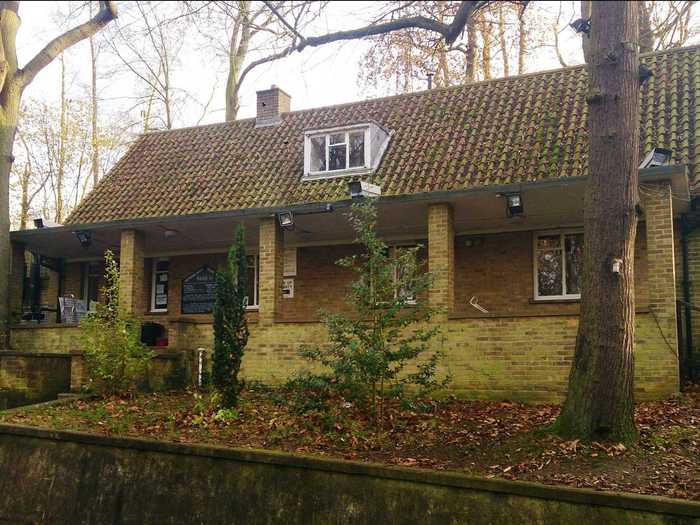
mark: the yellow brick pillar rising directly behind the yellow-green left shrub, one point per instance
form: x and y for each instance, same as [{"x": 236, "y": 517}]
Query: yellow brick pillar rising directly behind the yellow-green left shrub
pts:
[{"x": 132, "y": 287}]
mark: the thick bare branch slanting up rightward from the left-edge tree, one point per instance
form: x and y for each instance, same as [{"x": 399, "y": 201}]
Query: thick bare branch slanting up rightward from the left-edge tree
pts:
[{"x": 107, "y": 13}]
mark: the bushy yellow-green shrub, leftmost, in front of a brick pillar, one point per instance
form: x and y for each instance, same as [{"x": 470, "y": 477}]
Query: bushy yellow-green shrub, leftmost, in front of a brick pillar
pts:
[{"x": 115, "y": 359}]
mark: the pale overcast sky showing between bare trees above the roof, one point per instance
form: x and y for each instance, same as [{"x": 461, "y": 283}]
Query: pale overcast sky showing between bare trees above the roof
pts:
[{"x": 314, "y": 77}]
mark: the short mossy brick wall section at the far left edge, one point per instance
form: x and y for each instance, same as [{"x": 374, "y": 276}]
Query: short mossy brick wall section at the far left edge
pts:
[{"x": 32, "y": 378}]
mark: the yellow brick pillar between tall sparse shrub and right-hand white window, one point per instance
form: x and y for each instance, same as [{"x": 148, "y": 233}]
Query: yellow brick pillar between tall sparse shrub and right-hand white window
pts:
[{"x": 441, "y": 258}]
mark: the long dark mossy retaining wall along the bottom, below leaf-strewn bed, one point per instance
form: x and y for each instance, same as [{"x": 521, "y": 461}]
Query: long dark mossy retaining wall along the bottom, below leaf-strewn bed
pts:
[{"x": 74, "y": 478}]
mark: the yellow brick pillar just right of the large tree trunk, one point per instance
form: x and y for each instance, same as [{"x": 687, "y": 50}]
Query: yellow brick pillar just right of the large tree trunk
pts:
[{"x": 661, "y": 268}]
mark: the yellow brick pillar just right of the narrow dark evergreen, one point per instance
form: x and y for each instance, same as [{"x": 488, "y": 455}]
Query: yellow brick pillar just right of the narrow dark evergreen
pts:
[{"x": 271, "y": 266}]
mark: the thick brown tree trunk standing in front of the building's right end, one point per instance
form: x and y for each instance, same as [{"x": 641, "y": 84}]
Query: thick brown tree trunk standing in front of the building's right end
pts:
[{"x": 600, "y": 400}]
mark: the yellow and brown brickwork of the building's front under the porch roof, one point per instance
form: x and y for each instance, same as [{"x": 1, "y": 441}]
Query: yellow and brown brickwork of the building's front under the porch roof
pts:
[{"x": 520, "y": 350}]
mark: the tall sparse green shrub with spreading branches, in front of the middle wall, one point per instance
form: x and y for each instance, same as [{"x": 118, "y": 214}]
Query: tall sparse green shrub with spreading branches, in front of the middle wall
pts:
[{"x": 385, "y": 332}]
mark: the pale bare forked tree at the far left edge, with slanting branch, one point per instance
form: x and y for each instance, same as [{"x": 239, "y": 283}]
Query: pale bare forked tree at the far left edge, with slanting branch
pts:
[{"x": 13, "y": 80}]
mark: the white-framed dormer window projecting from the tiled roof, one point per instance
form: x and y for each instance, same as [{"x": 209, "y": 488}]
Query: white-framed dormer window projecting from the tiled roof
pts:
[{"x": 340, "y": 152}]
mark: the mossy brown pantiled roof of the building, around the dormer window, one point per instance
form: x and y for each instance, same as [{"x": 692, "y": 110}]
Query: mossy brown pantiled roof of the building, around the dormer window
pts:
[{"x": 513, "y": 130}]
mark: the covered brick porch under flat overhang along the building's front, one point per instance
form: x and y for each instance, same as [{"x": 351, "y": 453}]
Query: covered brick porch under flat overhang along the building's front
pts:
[{"x": 507, "y": 308}]
